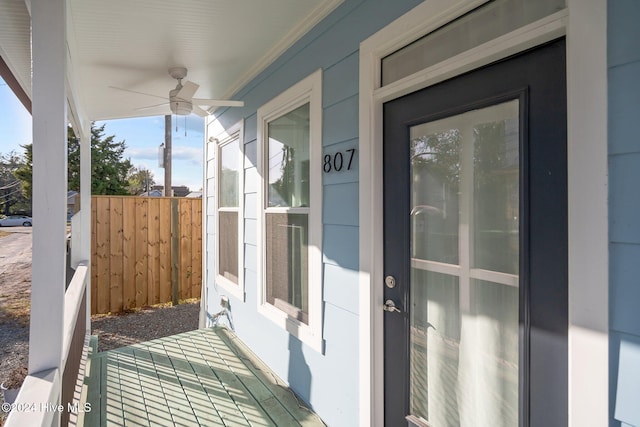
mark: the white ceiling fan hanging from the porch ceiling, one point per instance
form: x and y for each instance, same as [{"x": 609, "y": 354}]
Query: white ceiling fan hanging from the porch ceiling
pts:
[{"x": 181, "y": 101}]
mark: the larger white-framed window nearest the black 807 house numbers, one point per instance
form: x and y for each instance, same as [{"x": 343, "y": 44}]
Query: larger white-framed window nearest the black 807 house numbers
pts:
[{"x": 289, "y": 153}]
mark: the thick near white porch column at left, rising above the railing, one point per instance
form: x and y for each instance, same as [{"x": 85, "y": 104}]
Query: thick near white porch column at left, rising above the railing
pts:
[{"x": 49, "y": 183}]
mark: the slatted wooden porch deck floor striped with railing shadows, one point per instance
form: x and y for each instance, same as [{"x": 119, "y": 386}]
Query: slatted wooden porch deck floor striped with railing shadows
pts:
[{"x": 205, "y": 377}]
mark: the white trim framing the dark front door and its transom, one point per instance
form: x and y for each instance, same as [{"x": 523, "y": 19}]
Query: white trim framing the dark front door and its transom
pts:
[{"x": 584, "y": 24}]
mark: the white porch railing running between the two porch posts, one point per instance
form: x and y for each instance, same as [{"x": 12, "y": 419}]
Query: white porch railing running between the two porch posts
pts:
[{"x": 46, "y": 397}]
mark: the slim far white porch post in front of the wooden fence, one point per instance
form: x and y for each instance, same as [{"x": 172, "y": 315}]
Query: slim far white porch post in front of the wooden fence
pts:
[{"x": 85, "y": 209}]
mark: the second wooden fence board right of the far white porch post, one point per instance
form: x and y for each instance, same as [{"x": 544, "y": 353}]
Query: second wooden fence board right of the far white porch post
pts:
[{"x": 116, "y": 254}]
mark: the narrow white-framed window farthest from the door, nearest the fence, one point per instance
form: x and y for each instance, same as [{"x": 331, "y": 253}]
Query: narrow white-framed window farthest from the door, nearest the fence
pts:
[{"x": 229, "y": 157}]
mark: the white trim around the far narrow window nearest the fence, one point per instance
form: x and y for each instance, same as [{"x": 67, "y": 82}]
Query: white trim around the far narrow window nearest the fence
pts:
[{"x": 233, "y": 133}]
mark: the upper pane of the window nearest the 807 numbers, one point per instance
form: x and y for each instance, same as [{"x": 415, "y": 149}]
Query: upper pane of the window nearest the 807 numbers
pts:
[{"x": 288, "y": 156}]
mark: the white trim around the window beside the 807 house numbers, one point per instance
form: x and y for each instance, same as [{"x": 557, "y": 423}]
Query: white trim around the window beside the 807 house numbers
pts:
[{"x": 309, "y": 90}]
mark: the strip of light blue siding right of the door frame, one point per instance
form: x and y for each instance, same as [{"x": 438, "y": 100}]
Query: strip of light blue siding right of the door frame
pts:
[{"x": 623, "y": 42}]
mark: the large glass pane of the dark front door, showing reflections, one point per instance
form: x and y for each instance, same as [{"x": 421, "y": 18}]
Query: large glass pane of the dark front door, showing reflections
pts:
[{"x": 464, "y": 353}]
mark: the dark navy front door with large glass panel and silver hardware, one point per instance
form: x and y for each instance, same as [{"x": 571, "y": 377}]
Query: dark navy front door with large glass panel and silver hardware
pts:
[{"x": 475, "y": 248}]
